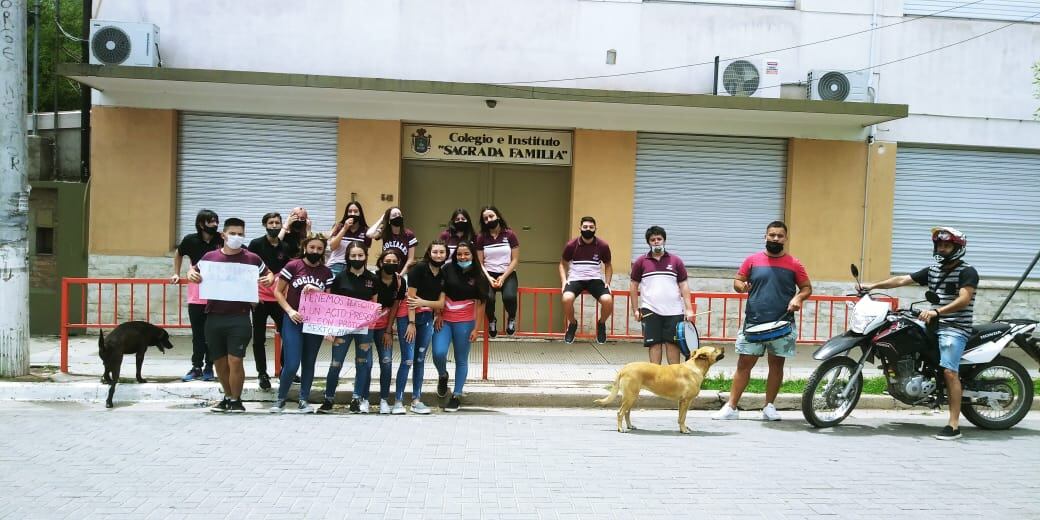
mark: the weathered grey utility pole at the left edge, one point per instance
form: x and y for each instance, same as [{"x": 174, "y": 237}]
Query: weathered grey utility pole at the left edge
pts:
[{"x": 14, "y": 194}]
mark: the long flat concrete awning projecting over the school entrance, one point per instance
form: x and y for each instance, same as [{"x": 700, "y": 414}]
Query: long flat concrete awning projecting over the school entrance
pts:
[{"x": 467, "y": 103}]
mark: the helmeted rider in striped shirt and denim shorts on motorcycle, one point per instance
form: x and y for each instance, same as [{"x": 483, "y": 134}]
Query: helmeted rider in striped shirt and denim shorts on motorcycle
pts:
[{"x": 955, "y": 282}]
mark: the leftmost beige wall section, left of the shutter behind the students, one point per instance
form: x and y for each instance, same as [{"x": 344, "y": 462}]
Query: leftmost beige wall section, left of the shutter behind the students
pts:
[{"x": 134, "y": 160}]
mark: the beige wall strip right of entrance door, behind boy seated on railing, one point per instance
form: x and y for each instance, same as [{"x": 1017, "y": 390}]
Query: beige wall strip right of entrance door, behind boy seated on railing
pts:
[{"x": 604, "y": 186}]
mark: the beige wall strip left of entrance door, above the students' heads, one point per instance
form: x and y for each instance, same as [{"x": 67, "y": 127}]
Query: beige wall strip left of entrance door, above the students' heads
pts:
[{"x": 369, "y": 165}]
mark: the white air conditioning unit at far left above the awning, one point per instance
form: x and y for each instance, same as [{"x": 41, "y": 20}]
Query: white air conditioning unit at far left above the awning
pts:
[{"x": 124, "y": 44}]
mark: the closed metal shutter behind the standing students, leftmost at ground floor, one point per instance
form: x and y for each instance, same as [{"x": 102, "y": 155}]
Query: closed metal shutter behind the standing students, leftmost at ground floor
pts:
[{"x": 248, "y": 166}]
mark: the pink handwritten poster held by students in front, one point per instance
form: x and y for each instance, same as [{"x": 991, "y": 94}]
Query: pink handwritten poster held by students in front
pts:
[{"x": 335, "y": 316}]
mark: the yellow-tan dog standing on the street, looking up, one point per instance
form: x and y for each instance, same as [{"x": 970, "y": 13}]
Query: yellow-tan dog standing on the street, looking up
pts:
[{"x": 681, "y": 383}]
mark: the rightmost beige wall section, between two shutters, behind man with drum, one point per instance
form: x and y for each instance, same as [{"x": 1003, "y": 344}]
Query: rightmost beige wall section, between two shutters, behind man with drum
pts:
[{"x": 827, "y": 181}]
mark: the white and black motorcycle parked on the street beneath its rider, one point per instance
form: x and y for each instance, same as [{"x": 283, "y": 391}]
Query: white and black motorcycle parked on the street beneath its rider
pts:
[{"x": 998, "y": 391}]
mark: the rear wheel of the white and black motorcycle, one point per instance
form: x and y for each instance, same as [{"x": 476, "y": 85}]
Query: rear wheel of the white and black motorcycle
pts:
[{"x": 1002, "y": 375}]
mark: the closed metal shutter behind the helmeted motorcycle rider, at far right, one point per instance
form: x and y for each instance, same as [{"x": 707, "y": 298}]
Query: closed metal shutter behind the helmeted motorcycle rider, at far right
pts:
[{"x": 992, "y": 196}]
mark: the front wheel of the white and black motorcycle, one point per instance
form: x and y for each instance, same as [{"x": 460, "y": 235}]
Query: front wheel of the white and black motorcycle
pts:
[{"x": 822, "y": 405}]
